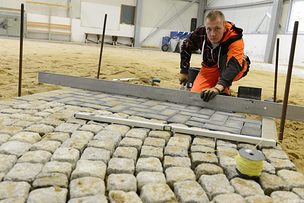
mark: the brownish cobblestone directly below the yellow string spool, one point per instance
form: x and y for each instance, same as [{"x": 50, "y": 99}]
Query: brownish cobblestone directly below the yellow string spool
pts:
[{"x": 246, "y": 187}]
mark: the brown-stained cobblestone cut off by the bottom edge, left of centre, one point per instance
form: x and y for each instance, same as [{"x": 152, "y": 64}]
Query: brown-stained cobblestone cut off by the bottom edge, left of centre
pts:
[{"x": 116, "y": 196}]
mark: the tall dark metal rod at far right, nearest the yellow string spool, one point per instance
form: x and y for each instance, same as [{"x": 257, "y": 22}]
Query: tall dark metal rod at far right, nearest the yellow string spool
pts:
[{"x": 288, "y": 79}]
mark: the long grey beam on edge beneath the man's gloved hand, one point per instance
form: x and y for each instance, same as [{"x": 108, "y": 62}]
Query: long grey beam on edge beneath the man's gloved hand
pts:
[{"x": 222, "y": 103}]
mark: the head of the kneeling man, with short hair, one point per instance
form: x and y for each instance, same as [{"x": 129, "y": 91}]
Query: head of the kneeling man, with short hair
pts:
[{"x": 215, "y": 26}]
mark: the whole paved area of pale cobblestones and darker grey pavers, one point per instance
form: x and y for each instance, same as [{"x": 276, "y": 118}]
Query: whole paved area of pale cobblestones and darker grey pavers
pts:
[{"x": 46, "y": 155}]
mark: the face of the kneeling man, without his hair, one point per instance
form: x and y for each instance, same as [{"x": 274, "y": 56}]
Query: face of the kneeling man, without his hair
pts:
[{"x": 215, "y": 30}]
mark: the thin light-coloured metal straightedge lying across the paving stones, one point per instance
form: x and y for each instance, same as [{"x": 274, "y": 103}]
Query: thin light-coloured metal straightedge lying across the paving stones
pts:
[{"x": 265, "y": 142}]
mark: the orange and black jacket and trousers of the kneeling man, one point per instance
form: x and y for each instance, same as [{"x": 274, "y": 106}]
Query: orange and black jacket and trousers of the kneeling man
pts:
[{"x": 222, "y": 64}]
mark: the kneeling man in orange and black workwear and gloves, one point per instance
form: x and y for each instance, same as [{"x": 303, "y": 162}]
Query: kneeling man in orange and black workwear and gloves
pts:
[{"x": 223, "y": 59}]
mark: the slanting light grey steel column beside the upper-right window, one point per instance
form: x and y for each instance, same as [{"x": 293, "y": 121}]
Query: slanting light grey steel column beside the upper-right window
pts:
[{"x": 273, "y": 29}]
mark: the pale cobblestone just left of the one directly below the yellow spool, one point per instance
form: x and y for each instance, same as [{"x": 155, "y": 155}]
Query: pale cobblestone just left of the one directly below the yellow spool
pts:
[{"x": 215, "y": 185}]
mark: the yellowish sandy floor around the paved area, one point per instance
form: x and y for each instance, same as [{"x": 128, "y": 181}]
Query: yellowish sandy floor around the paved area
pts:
[{"x": 118, "y": 62}]
